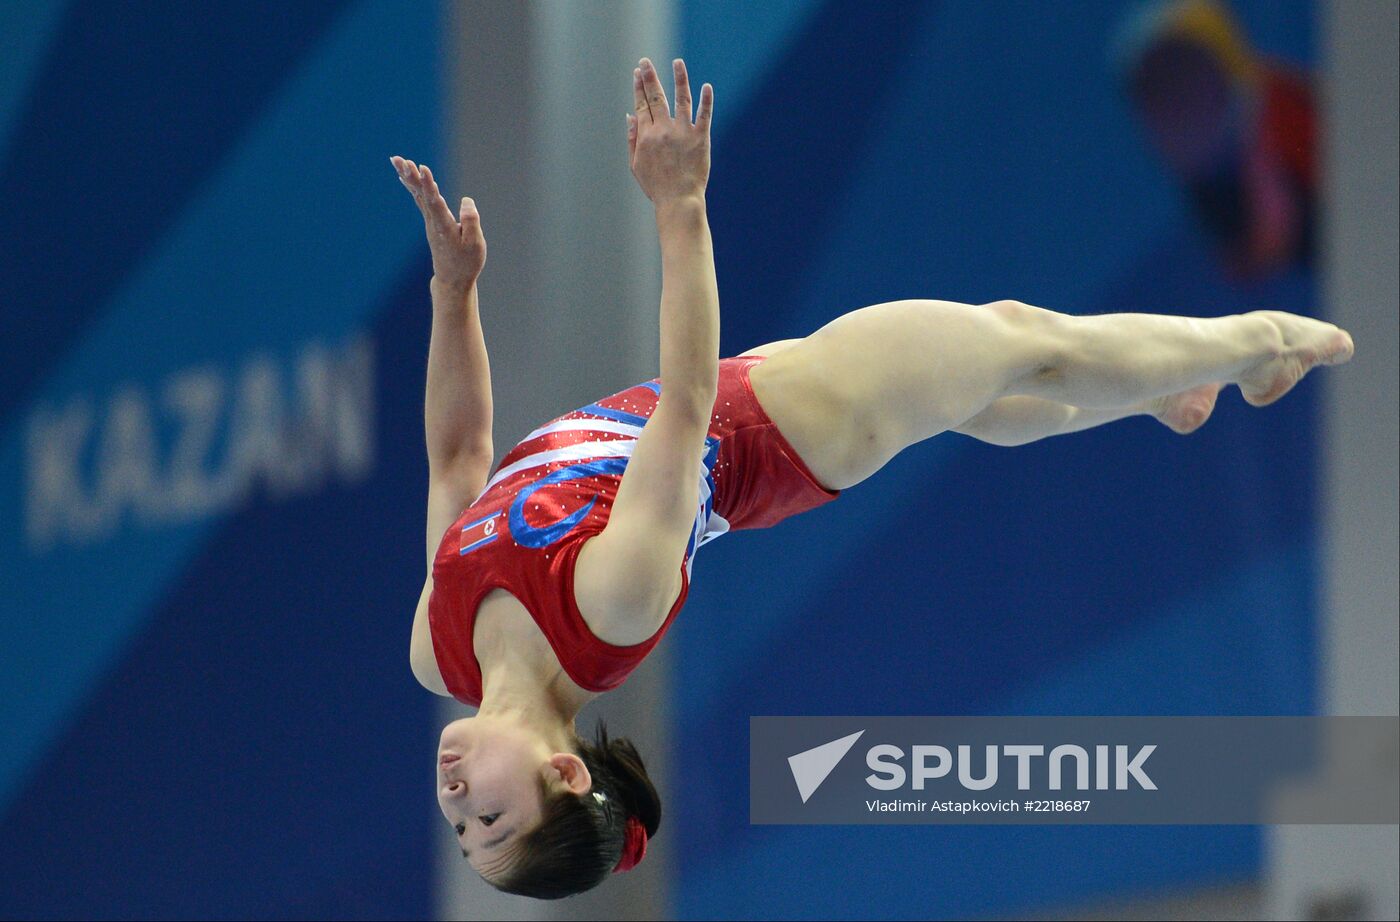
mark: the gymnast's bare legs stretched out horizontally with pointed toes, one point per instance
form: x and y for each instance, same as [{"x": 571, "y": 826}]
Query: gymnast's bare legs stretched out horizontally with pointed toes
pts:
[{"x": 874, "y": 381}]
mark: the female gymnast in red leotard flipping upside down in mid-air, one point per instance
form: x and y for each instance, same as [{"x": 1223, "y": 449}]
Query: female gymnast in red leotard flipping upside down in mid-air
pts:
[{"x": 552, "y": 577}]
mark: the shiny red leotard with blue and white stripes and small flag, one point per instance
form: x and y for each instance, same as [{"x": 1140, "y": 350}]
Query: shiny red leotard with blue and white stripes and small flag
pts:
[{"x": 555, "y": 490}]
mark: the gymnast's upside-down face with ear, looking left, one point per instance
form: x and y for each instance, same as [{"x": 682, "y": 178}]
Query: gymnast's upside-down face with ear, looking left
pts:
[{"x": 492, "y": 777}]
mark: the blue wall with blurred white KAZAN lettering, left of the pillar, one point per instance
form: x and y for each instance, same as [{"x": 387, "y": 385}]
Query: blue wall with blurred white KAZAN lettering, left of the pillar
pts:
[{"x": 208, "y": 707}]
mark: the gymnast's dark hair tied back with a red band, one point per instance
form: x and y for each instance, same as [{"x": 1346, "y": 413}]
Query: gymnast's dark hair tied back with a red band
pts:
[{"x": 580, "y": 837}]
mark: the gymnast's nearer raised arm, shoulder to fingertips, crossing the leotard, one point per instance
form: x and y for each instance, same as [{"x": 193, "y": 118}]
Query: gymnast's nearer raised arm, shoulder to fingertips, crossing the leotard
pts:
[{"x": 635, "y": 566}]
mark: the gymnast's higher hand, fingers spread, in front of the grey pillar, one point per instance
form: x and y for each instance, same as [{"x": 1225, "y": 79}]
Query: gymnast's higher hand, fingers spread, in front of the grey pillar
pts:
[{"x": 670, "y": 155}]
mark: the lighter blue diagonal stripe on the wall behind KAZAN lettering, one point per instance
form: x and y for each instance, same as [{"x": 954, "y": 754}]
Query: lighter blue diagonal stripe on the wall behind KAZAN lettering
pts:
[{"x": 197, "y": 289}]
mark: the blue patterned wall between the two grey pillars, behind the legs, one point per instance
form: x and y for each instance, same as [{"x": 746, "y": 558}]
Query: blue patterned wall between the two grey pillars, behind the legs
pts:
[{"x": 978, "y": 152}]
